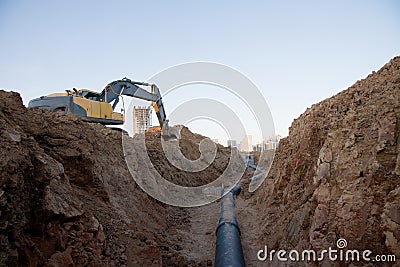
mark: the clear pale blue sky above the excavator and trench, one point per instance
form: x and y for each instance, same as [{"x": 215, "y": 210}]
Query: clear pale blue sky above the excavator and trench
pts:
[{"x": 297, "y": 52}]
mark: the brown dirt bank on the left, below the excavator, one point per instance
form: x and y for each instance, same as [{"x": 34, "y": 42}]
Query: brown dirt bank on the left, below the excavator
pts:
[{"x": 68, "y": 199}]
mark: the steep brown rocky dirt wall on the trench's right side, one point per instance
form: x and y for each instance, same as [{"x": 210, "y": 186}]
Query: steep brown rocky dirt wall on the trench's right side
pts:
[{"x": 337, "y": 173}]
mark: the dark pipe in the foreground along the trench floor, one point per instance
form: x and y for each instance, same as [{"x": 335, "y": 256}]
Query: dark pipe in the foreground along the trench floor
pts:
[{"x": 228, "y": 251}]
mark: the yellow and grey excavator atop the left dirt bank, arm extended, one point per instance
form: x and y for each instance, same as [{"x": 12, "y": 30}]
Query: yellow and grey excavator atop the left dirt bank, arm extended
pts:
[{"x": 99, "y": 107}]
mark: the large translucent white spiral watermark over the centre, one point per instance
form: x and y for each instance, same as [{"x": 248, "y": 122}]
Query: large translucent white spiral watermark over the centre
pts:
[{"x": 171, "y": 82}]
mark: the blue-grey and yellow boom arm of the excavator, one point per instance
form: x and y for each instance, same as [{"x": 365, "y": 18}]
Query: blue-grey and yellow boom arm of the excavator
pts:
[{"x": 131, "y": 88}]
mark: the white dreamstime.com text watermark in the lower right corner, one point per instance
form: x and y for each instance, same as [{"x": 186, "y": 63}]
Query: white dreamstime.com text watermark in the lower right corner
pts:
[{"x": 340, "y": 253}]
